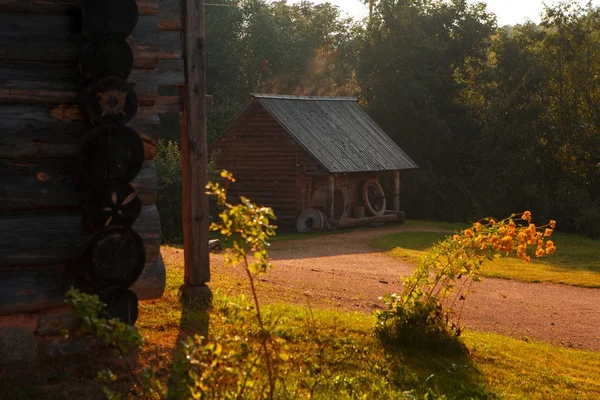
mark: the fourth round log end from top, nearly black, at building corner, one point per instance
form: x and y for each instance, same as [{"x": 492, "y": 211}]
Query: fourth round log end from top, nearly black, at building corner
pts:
[{"x": 112, "y": 153}]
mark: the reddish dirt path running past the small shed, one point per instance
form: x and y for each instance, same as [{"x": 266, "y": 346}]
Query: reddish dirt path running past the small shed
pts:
[{"x": 342, "y": 271}]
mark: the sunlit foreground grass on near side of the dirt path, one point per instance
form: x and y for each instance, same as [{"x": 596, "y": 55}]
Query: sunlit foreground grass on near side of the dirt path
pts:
[{"x": 352, "y": 363}]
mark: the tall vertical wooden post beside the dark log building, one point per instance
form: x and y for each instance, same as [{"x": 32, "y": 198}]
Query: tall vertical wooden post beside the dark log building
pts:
[{"x": 194, "y": 150}]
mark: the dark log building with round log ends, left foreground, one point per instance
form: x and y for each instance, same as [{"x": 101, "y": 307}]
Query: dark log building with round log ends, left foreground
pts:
[{"x": 80, "y": 100}]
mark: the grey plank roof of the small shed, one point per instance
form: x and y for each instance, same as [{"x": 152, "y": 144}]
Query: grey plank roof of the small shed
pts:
[{"x": 336, "y": 132}]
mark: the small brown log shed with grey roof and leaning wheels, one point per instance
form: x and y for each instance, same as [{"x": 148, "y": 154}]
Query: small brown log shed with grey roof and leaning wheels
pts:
[{"x": 314, "y": 160}]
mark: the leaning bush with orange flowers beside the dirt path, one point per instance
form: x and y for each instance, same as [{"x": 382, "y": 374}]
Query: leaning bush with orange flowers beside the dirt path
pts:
[{"x": 444, "y": 275}]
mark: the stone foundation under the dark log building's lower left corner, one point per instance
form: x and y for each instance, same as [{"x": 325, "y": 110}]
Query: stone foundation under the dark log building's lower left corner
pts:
[{"x": 37, "y": 336}]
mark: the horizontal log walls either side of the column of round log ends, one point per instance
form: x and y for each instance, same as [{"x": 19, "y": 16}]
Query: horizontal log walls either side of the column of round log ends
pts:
[{"x": 41, "y": 131}]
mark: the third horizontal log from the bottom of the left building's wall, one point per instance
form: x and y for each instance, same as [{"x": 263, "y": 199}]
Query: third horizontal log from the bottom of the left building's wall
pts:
[{"x": 53, "y": 184}]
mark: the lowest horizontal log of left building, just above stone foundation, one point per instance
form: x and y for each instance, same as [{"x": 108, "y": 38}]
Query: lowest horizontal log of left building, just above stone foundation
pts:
[{"x": 33, "y": 289}]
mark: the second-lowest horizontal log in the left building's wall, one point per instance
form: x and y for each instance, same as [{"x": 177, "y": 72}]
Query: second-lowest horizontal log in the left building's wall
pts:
[{"x": 56, "y": 238}]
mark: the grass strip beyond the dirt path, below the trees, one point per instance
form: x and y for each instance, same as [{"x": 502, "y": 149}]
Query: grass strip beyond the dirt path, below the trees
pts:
[{"x": 576, "y": 262}]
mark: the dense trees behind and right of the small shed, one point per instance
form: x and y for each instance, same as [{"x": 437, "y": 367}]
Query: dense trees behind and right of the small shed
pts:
[{"x": 498, "y": 119}]
